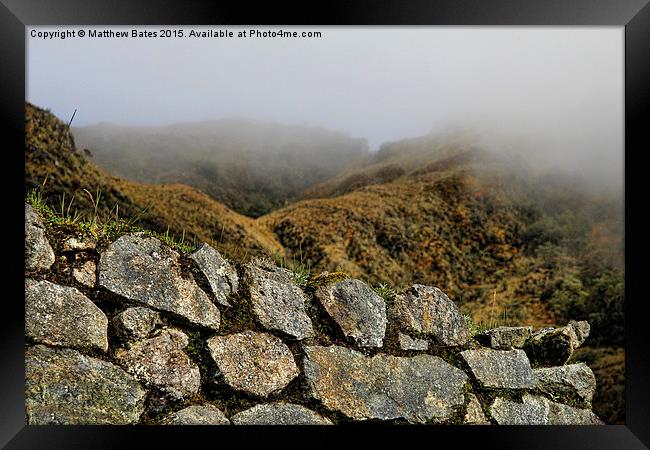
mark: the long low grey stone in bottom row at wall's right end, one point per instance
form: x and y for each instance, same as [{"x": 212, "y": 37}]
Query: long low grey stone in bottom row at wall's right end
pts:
[{"x": 539, "y": 411}]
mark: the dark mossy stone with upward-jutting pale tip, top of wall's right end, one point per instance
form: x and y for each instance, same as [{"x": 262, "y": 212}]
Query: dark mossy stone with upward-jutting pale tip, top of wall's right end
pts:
[{"x": 554, "y": 347}]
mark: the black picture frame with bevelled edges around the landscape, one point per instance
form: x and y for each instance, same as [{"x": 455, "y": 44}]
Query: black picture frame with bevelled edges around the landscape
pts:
[{"x": 634, "y": 15}]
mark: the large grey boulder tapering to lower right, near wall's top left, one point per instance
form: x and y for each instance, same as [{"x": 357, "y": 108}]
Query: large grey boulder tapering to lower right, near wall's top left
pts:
[{"x": 142, "y": 269}]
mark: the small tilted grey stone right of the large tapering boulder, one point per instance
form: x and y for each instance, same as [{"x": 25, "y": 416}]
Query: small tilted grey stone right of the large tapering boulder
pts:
[{"x": 221, "y": 276}]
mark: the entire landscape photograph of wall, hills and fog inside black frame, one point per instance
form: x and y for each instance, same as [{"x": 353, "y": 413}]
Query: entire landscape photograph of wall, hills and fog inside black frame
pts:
[{"x": 324, "y": 225}]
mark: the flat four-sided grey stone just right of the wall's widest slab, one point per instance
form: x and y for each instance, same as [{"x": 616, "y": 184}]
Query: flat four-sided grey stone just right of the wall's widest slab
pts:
[{"x": 507, "y": 369}]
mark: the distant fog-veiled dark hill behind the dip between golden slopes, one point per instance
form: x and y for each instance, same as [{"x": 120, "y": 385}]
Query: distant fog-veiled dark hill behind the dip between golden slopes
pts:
[{"x": 252, "y": 167}]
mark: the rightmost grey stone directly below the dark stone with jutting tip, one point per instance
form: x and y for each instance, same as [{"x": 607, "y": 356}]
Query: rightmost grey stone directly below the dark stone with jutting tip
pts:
[{"x": 575, "y": 381}]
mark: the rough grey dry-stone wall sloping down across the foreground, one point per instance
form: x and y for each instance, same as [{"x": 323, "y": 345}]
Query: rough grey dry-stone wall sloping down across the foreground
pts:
[{"x": 135, "y": 332}]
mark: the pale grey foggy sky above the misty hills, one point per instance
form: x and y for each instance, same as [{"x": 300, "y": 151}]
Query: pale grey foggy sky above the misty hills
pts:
[{"x": 554, "y": 91}]
